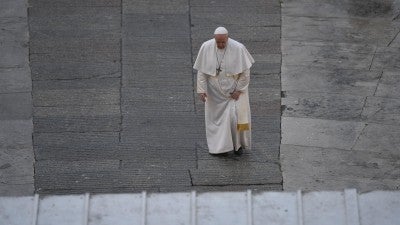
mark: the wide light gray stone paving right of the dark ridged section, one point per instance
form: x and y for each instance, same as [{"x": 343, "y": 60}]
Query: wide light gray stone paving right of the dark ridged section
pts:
[{"x": 341, "y": 80}]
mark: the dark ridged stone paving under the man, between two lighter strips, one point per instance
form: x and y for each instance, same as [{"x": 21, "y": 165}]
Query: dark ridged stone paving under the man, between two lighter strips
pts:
[{"x": 114, "y": 108}]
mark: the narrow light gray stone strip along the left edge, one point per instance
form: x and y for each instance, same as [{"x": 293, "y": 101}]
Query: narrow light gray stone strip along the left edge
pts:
[{"x": 16, "y": 154}]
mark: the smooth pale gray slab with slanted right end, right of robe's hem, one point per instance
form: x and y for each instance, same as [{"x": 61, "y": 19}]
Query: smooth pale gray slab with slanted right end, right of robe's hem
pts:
[{"x": 320, "y": 133}]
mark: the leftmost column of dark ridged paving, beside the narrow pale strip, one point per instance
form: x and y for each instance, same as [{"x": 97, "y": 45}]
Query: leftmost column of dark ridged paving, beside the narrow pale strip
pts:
[{"x": 75, "y": 56}]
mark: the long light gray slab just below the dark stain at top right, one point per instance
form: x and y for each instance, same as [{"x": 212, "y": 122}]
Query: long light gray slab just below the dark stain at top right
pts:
[{"x": 339, "y": 30}]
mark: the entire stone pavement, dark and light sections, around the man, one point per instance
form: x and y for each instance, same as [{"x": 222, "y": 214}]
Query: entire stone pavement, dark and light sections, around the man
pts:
[{"x": 114, "y": 108}]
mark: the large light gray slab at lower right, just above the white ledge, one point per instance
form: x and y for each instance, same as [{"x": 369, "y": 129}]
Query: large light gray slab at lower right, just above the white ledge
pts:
[{"x": 311, "y": 168}]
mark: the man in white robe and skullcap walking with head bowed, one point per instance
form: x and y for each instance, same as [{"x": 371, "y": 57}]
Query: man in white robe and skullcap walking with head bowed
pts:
[{"x": 223, "y": 77}]
